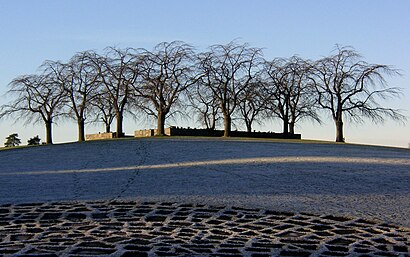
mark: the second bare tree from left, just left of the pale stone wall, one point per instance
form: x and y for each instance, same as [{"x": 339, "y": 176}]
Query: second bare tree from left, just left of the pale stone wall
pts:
[{"x": 81, "y": 85}]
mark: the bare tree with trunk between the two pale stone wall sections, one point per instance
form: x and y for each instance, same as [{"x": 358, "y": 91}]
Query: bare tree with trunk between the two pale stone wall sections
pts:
[{"x": 118, "y": 70}]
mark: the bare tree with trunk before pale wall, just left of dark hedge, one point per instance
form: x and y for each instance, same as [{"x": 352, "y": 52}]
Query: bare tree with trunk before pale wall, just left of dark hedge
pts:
[{"x": 166, "y": 74}]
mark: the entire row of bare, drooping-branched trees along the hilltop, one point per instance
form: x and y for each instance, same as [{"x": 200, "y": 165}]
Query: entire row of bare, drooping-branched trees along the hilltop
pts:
[{"x": 226, "y": 82}]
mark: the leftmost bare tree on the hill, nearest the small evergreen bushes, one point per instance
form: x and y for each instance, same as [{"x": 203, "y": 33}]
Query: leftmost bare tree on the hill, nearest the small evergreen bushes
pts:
[{"x": 36, "y": 98}]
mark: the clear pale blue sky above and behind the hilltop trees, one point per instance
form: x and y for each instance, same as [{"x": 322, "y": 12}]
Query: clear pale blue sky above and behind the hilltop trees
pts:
[{"x": 34, "y": 31}]
